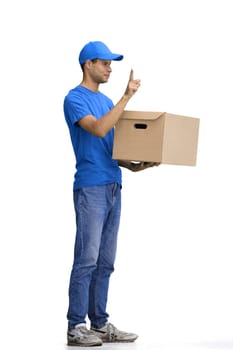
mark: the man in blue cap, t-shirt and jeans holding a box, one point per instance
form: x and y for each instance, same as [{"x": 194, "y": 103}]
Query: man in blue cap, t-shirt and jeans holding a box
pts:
[{"x": 91, "y": 117}]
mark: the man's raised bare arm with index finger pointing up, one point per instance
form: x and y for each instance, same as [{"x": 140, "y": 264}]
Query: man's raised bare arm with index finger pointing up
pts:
[{"x": 100, "y": 127}]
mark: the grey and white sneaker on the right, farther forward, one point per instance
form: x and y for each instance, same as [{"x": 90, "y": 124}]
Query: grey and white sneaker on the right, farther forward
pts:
[{"x": 110, "y": 334}]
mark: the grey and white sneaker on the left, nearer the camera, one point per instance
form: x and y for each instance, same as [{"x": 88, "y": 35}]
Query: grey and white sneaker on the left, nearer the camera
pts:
[{"x": 81, "y": 336}]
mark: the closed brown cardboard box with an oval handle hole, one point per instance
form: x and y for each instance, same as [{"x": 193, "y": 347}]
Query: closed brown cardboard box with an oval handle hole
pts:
[{"x": 156, "y": 137}]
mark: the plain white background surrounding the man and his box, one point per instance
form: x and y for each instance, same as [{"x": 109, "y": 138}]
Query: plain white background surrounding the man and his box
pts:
[{"x": 173, "y": 279}]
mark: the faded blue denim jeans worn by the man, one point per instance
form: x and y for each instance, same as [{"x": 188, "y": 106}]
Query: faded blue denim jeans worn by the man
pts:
[{"x": 97, "y": 211}]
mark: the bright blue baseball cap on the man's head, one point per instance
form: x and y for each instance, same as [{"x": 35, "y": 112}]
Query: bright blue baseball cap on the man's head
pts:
[{"x": 97, "y": 49}]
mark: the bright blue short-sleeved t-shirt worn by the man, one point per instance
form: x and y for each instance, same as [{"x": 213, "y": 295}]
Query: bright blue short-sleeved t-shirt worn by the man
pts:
[{"x": 94, "y": 163}]
